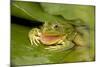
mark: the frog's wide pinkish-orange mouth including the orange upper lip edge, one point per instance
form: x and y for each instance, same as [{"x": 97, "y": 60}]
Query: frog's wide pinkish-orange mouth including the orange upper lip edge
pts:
[{"x": 49, "y": 39}]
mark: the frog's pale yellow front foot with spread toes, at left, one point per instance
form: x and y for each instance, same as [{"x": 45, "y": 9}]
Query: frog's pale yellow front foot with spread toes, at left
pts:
[{"x": 34, "y": 36}]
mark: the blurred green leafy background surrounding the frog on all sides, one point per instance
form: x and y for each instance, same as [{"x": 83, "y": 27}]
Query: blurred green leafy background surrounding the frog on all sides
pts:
[{"x": 26, "y": 15}]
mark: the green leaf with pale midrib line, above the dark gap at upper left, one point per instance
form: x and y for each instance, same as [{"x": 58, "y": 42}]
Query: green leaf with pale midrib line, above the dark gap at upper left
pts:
[{"x": 30, "y": 11}]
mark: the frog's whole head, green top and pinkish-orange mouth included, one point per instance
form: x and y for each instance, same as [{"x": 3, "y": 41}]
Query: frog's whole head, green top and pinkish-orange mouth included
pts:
[{"x": 52, "y": 32}]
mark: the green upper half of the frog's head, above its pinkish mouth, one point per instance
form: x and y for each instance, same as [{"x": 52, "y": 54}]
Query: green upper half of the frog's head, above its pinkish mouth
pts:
[{"x": 53, "y": 28}]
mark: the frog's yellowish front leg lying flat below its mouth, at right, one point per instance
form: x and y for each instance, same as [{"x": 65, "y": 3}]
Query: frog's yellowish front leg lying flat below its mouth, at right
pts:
[{"x": 62, "y": 46}]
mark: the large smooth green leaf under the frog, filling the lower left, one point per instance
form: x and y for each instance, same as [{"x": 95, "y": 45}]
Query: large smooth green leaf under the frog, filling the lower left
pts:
[{"x": 22, "y": 53}]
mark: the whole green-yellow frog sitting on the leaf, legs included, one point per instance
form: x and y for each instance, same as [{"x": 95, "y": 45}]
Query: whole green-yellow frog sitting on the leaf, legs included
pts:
[{"x": 55, "y": 36}]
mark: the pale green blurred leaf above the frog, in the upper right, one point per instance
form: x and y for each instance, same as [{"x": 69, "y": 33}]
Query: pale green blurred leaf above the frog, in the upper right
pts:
[{"x": 70, "y": 11}]
